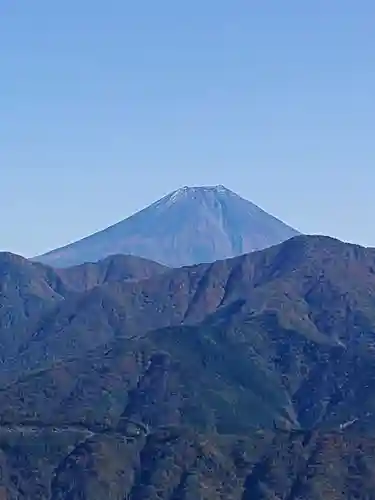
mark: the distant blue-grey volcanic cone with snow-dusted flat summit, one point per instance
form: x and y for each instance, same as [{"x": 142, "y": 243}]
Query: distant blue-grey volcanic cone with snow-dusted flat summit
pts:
[{"x": 189, "y": 226}]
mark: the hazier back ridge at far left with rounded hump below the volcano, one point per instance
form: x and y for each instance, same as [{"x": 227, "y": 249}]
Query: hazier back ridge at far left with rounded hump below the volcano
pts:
[{"x": 28, "y": 290}]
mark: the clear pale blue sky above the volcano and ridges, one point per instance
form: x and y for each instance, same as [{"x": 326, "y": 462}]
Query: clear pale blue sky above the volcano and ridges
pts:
[{"x": 106, "y": 106}]
